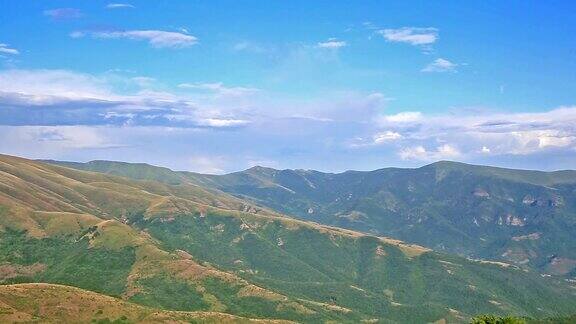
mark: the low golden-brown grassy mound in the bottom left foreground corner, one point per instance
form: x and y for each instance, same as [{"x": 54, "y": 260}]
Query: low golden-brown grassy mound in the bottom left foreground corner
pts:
[{"x": 56, "y": 303}]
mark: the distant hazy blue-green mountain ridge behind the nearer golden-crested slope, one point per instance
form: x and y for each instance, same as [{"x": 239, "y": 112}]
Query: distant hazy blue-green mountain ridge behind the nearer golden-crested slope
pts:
[{"x": 520, "y": 216}]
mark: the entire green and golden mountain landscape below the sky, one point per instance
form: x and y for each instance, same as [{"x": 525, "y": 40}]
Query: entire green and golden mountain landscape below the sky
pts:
[{"x": 111, "y": 241}]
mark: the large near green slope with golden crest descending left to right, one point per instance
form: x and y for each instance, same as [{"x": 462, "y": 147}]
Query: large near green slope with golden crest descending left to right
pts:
[{"x": 153, "y": 245}]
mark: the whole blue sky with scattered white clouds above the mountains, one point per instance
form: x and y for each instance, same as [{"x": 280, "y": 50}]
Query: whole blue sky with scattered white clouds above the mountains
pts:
[{"x": 219, "y": 86}]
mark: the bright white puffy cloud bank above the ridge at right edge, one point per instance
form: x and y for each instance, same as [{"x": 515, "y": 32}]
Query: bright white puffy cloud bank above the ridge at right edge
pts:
[{"x": 426, "y": 137}]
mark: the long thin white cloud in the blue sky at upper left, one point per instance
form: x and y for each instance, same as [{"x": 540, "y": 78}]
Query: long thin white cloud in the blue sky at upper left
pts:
[{"x": 156, "y": 38}]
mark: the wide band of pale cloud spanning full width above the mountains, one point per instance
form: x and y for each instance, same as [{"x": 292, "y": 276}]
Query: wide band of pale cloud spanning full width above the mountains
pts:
[{"x": 351, "y": 128}]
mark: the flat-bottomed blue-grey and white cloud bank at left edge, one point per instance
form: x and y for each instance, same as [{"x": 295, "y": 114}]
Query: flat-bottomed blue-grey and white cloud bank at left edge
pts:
[{"x": 58, "y": 97}]
